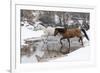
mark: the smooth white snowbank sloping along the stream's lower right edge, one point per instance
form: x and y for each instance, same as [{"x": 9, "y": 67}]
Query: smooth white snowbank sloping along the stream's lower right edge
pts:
[{"x": 82, "y": 54}]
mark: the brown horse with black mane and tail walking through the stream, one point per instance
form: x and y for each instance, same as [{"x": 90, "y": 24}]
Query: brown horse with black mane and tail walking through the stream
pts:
[{"x": 70, "y": 33}]
